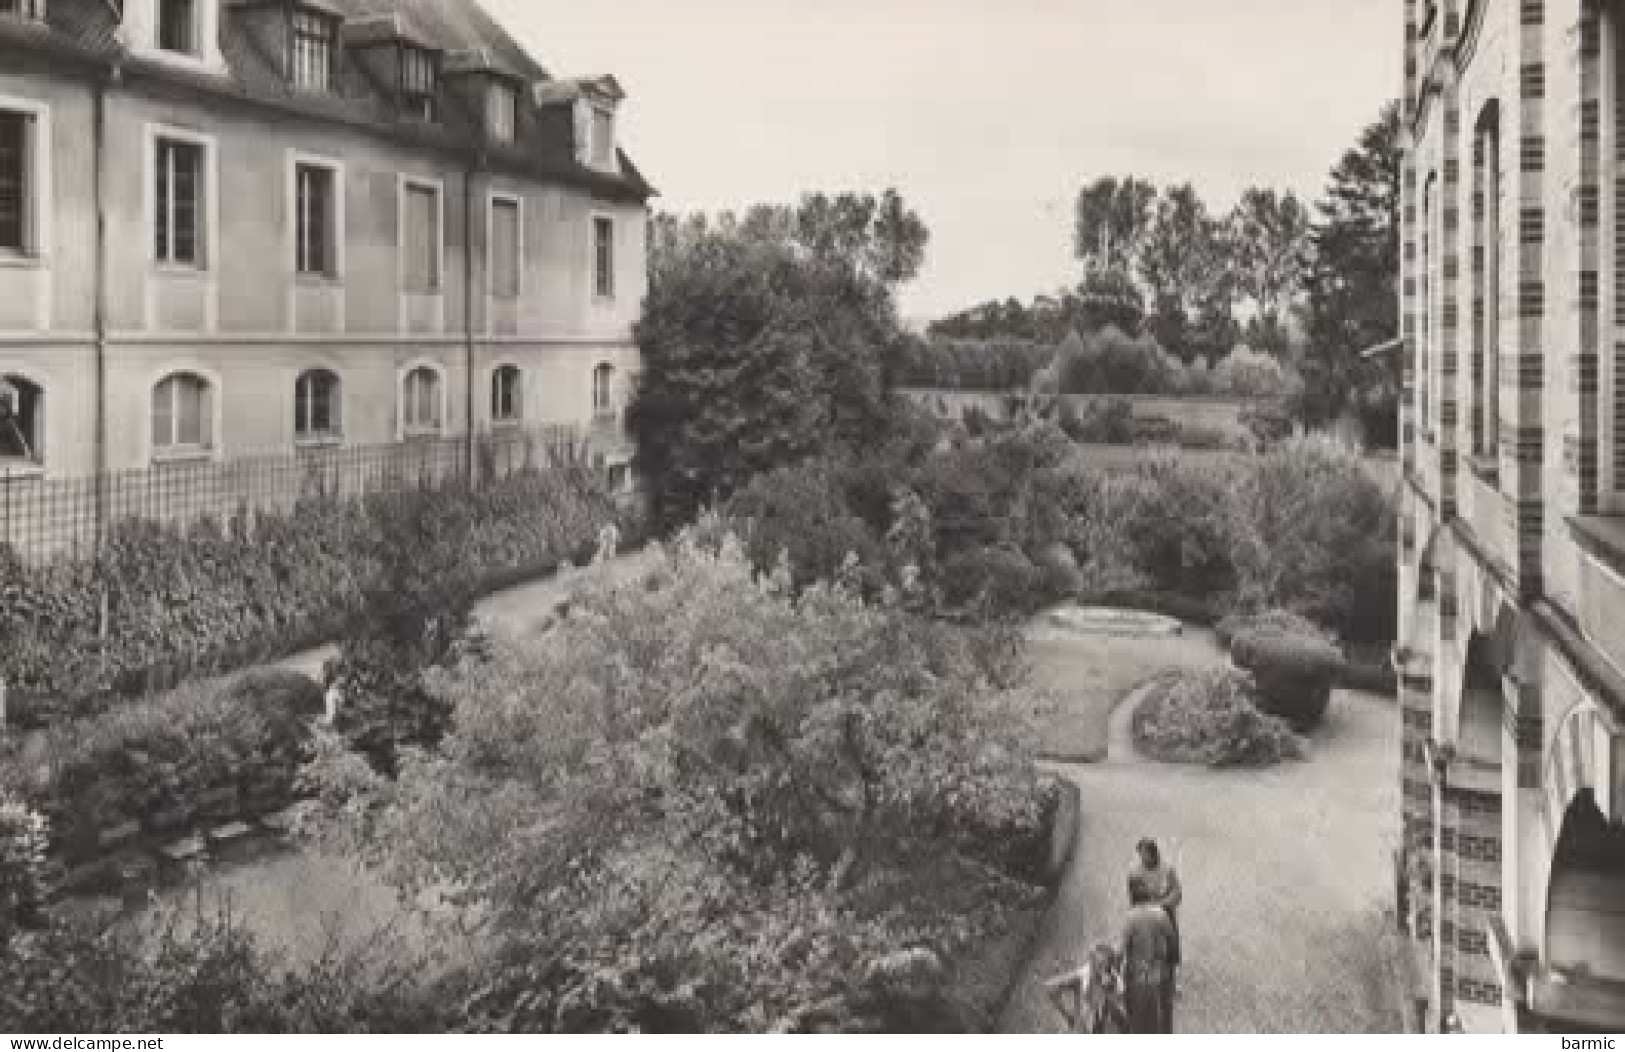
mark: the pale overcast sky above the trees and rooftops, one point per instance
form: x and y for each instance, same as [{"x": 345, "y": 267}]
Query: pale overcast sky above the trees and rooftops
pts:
[{"x": 987, "y": 116}]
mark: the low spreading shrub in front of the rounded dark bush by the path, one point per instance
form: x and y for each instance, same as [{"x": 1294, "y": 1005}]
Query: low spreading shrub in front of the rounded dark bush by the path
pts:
[{"x": 1211, "y": 718}]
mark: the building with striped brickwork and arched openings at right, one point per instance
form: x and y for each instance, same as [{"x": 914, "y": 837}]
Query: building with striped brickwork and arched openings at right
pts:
[{"x": 1514, "y": 524}]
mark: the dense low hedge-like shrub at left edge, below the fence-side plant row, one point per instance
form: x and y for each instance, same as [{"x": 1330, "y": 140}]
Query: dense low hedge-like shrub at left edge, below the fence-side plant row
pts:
[{"x": 163, "y": 763}]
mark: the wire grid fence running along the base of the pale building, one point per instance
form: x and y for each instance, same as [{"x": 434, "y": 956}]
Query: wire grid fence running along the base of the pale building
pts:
[{"x": 48, "y": 519}]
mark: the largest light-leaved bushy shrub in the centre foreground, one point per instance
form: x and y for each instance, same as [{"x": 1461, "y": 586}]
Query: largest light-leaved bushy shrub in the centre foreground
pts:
[{"x": 713, "y": 804}]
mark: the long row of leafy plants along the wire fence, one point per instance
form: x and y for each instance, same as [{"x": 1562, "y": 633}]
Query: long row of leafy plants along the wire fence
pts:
[{"x": 212, "y": 598}]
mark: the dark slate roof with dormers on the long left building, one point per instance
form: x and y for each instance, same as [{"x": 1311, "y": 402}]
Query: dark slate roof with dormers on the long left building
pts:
[{"x": 87, "y": 30}]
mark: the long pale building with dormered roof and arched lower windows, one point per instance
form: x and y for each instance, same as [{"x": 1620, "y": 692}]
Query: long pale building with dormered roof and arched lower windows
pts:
[{"x": 233, "y": 227}]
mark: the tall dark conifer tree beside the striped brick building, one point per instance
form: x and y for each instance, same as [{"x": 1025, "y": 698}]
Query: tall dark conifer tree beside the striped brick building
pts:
[{"x": 1353, "y": 284}]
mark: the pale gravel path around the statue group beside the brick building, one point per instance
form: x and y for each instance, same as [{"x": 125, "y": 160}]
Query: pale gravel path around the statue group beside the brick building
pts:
[{"x": 1286, "y": 877}]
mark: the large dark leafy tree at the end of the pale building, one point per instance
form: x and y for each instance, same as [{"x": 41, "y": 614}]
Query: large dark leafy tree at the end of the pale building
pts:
[{"x": 768, "y": 339}]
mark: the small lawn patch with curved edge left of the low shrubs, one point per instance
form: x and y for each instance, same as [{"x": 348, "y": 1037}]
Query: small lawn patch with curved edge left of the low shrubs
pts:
[{"x": 1085, "y": 679}]
